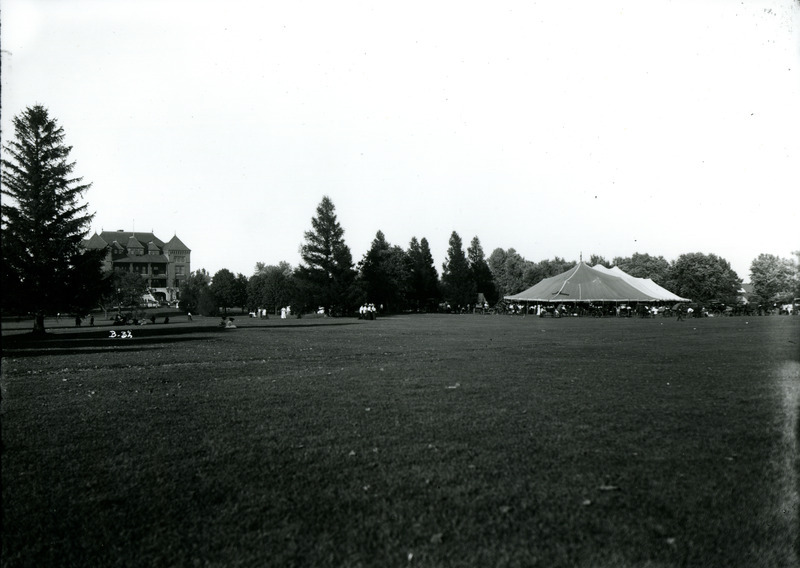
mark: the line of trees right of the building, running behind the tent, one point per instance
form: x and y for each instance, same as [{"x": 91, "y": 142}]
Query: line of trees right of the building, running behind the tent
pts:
[{"x": 398, "y": 279}]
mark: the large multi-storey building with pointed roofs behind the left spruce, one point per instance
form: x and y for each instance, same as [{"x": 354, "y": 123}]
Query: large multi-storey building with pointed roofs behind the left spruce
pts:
[{"x": 165, "y": 265}]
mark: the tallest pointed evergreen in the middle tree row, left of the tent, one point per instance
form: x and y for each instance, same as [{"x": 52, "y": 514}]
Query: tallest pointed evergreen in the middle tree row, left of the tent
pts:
[{"x": 326, "y": 277}]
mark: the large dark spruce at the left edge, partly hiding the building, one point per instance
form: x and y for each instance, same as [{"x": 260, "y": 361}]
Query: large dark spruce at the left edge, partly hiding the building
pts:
[{"x": 44, "y": 266}]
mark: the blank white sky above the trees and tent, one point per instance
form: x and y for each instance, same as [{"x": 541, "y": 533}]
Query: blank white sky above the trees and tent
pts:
[{"x": 554, "y": 128}]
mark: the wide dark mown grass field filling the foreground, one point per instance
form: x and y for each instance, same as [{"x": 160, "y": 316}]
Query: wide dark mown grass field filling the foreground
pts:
[{"x": 406, "y": 441}]
